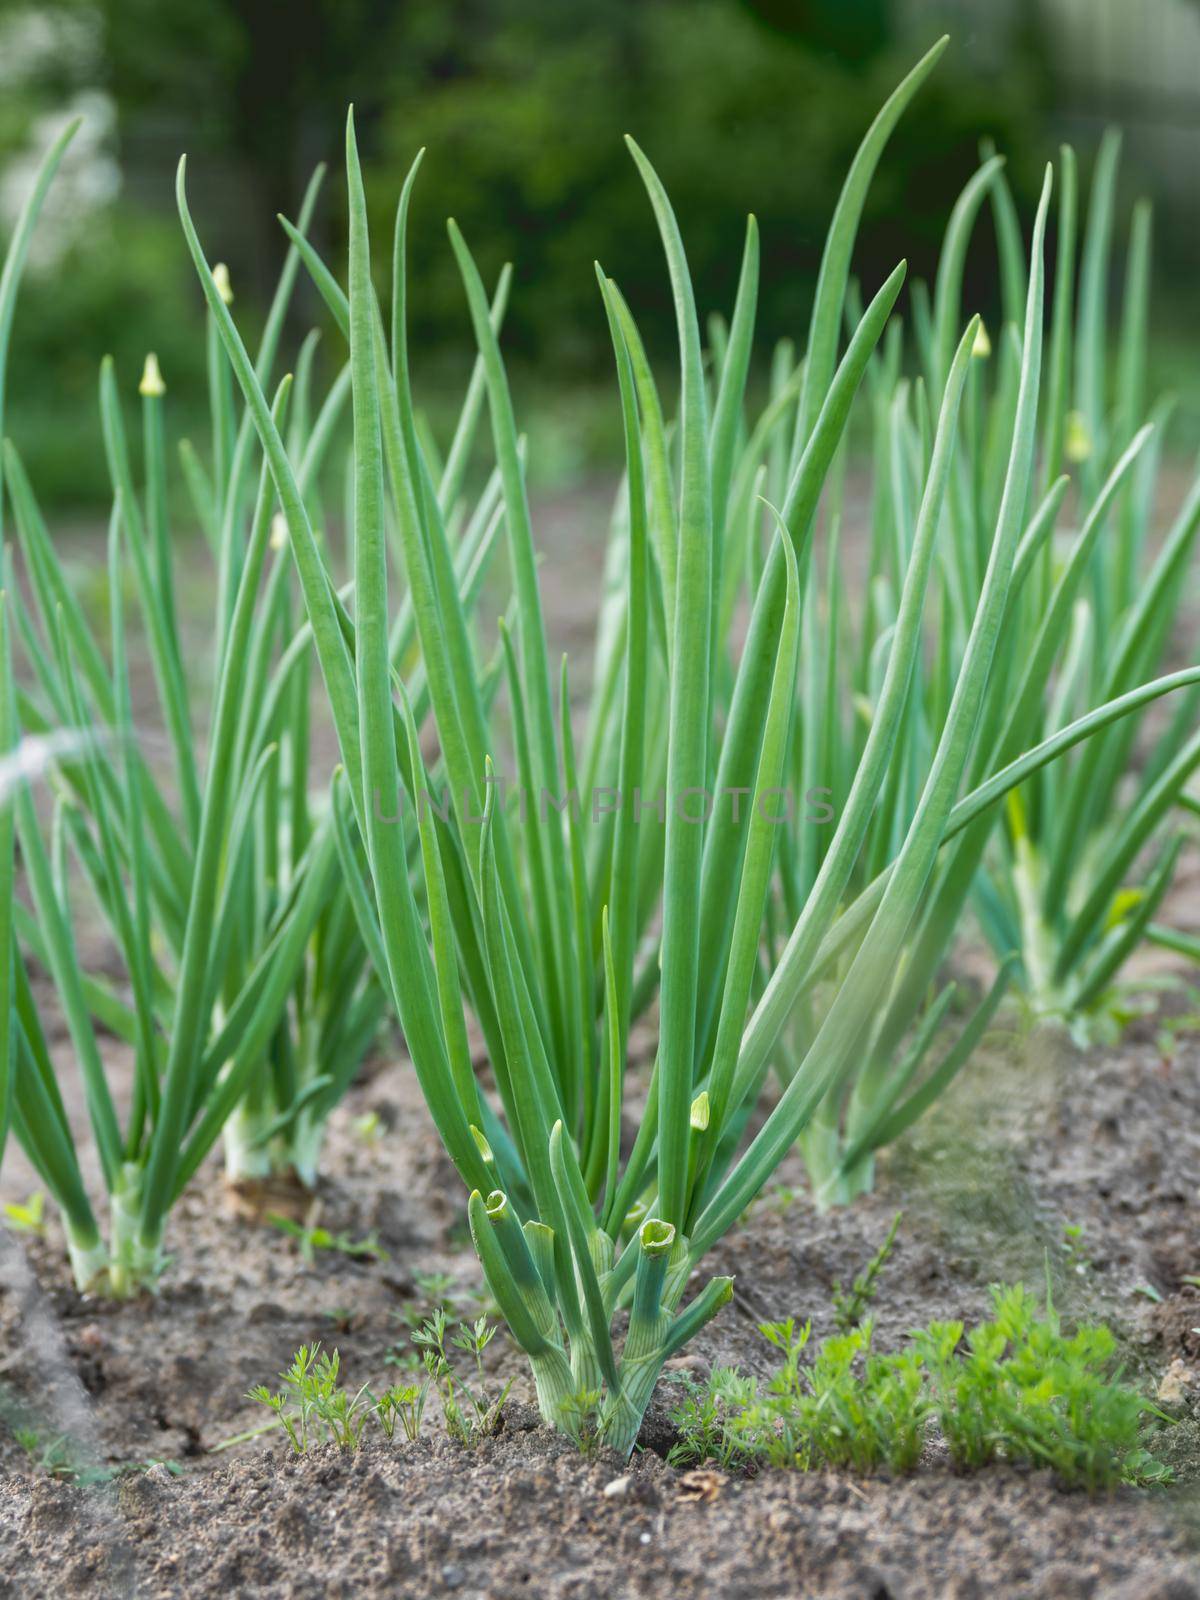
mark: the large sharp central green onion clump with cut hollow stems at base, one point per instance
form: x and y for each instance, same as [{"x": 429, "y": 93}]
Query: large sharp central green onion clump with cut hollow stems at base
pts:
[{"x": 529, "y": 926}]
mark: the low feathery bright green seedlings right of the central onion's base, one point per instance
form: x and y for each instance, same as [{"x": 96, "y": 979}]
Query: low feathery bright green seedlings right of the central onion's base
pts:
[{"x": 1015, "y": 1390}]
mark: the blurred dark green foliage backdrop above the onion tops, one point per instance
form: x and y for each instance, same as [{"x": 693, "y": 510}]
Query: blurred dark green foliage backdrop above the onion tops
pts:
[{"x": 743, "y": 105}]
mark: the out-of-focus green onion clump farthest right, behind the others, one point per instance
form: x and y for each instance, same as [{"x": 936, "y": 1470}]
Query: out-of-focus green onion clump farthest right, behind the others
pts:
[{"x": 1087, "y": 852}]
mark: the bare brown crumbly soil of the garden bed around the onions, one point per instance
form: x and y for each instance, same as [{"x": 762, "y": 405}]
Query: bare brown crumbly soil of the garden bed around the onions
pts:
[{"x": 1036, "y": 1137}]
